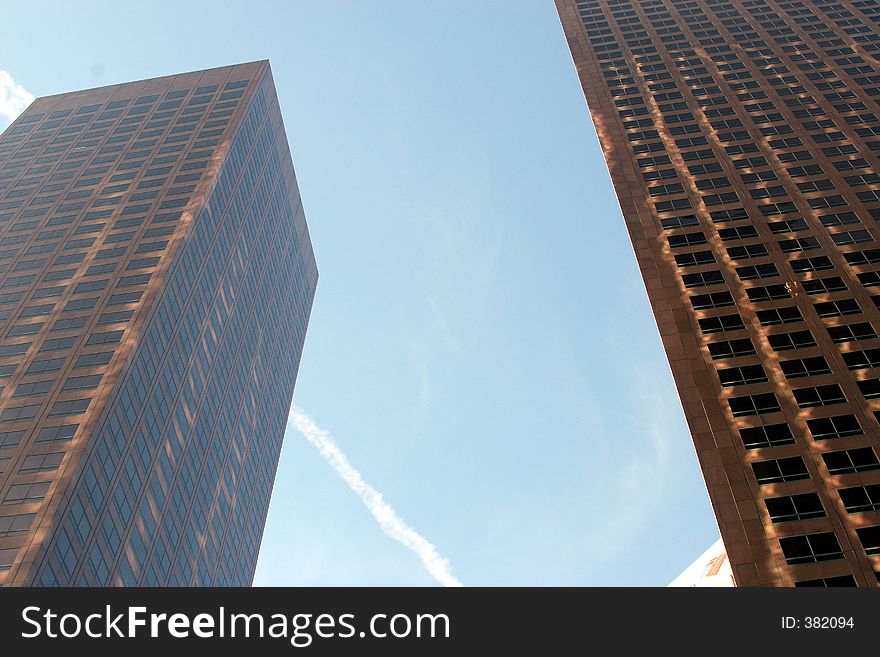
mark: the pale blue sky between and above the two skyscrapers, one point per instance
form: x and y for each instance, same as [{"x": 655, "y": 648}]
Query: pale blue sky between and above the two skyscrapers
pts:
[{"x": 481, "y": 346}]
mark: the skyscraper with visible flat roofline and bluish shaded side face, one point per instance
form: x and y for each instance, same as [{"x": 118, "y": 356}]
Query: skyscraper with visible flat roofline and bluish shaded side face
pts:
[{"x": 156, "y": 280}]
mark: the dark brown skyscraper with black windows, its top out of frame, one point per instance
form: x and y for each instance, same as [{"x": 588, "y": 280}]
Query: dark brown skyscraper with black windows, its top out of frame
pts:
[{"x": 742, "y": 138}]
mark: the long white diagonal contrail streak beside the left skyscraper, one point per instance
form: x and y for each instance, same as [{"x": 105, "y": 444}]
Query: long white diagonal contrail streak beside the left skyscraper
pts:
[{"x": 392, "y": 524}]
